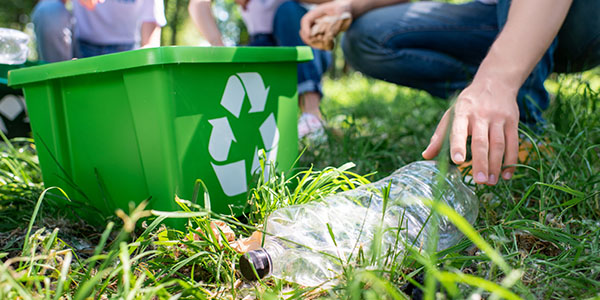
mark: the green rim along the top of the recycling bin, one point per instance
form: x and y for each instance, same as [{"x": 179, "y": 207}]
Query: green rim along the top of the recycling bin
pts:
[{"x": 157, "y": 56}]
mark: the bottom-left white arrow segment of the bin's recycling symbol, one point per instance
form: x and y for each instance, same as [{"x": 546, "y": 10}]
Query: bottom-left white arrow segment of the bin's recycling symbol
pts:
[{"x": 232, "y": 177}]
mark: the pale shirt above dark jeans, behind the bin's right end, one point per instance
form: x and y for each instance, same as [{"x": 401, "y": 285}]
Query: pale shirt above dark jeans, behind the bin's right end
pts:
[{"x": 259, "y": 15}]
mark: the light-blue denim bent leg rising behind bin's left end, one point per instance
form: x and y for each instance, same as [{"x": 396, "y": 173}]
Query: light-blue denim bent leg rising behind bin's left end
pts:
[{"x": 53, "y": 31}]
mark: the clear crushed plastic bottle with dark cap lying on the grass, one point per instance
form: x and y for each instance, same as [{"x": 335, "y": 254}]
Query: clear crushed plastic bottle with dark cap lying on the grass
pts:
[{"x": 299, "y": 247}]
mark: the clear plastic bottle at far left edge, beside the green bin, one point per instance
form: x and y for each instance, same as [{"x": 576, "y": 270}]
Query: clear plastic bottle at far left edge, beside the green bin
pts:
[{"x": 13, "y": 46}]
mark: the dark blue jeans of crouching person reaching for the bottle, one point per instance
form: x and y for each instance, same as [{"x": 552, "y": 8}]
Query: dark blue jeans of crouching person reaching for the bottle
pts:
[{"x": 437, "y": 47}]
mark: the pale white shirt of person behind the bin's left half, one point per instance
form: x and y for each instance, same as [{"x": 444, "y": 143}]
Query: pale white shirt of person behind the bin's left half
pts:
[{"x": 116, "y": 21}]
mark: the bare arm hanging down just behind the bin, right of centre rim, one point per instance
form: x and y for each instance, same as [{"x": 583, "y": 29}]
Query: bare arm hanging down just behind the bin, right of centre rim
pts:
[{"x": 201, "y": 14}]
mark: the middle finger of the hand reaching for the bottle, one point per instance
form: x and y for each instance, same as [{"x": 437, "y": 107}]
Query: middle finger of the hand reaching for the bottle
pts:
[{"x": 479, "y": 150}]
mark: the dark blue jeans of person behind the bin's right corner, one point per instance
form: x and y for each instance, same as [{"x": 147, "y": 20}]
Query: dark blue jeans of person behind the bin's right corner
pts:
[{"x": 286, "y": 28}]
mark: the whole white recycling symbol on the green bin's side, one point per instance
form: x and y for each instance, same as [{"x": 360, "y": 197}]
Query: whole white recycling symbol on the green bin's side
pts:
[{"x": 232, "y": 176}]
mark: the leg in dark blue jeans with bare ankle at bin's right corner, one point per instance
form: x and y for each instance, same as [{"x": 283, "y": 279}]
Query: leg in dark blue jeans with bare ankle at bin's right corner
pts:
[{"x": 286, "y": 28}]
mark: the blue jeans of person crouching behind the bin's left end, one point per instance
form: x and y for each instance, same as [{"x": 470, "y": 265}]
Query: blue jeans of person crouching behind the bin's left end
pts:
[{"x": 54, "y": 28}]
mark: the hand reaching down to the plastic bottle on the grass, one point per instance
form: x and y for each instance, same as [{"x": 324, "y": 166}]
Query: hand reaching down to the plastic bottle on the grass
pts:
[{"x": 488, "y": 112}]
